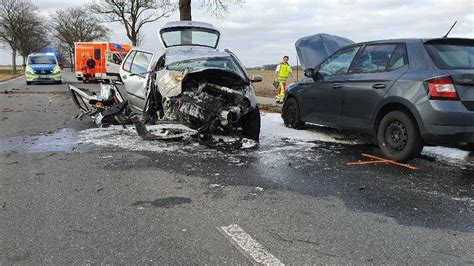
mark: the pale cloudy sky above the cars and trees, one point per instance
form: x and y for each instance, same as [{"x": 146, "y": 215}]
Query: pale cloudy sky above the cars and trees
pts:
[{"x": 262, "y": 31}]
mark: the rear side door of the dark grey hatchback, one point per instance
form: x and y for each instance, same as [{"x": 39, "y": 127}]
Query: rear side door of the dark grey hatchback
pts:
[{"x": 373, "y": 72}]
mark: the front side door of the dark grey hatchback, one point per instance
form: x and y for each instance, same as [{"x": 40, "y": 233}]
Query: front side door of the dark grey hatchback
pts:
[{"x": 321, "y": 98}]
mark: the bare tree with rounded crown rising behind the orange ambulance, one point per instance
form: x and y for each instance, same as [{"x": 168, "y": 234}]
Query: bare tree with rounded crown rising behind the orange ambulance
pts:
[{"x": 76, "y": 25}]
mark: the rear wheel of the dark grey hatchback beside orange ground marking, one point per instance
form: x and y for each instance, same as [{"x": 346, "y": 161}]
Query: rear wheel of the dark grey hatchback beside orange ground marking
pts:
[{"x": 398, "y": 137}]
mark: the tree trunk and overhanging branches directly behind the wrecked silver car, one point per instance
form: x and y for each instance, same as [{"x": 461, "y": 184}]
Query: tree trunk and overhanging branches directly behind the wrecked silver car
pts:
[{"x": 217, "y": 8}]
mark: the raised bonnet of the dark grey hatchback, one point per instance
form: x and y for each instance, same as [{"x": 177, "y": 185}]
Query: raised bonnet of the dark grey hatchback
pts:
[{"x": 312, "y": 50}]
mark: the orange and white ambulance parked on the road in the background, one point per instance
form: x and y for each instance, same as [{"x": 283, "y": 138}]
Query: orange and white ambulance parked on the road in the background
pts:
[{"x": 108, "y": 57}]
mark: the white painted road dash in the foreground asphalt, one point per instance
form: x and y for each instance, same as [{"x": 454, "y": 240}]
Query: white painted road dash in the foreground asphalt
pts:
[{"x": 248, "y": 246}]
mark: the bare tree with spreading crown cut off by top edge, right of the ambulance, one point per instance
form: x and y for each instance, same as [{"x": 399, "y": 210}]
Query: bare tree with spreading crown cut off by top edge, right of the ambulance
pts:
[{"x": 133, "y": 14}]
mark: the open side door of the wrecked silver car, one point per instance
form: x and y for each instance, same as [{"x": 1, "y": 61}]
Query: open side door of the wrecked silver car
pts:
[{"x": 135, "y": 73}]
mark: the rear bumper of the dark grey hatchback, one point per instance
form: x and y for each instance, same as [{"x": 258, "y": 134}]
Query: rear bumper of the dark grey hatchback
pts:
[{"x": 447, "y": 122}]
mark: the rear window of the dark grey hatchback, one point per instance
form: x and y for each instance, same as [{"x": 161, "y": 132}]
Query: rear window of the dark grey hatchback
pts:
[{"x": 452, "y": 55}]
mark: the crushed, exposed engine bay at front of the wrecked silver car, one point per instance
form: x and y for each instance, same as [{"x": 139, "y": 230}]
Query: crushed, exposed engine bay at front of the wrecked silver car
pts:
[{"x": 210, "y": 101}]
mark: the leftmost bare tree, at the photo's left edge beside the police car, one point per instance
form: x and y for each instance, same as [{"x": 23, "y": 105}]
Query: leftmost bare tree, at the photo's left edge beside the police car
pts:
[{"x": 15, "y": 16}]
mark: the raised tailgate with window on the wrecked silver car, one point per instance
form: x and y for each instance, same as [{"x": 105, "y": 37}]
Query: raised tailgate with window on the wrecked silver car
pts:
[{"x": 189, "y": 33}]
